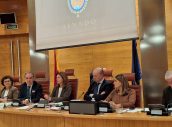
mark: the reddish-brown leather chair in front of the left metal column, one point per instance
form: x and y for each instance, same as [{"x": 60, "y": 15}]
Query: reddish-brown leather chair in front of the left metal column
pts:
[{"x": 40, "y": 77}]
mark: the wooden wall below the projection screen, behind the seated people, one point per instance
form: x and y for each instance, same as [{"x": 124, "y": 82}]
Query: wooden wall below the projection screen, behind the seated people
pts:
[{"x": 116, "y": 56}]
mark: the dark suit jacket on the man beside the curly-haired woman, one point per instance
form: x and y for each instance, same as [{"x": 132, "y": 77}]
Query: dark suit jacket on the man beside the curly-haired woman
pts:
[{"x": 36, "y": 92}]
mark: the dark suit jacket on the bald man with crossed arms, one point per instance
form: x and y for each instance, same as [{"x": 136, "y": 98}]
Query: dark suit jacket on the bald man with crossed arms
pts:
[{"x": 105, "y": 89}]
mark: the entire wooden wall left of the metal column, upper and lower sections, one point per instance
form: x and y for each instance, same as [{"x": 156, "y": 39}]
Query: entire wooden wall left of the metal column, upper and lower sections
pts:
[{"x": 21, "y": 34}]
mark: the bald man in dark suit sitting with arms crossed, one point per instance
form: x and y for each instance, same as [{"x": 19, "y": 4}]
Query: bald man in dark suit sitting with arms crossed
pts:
[{"x": 99, "y": 87}]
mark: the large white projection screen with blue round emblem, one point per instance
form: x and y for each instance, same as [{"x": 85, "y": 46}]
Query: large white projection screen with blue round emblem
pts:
[{"x": 66, "y": 23}]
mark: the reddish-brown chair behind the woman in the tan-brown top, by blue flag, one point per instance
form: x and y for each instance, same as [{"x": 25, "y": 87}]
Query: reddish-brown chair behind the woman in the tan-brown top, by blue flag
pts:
[{"x": 131, "y": 79}]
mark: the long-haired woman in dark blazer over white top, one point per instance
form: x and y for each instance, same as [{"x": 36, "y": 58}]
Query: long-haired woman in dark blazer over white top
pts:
[{"x": 62, "y": 91}]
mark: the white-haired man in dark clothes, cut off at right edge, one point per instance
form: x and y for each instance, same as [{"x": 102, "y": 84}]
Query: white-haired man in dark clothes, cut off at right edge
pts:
[{"x": 167, "y": 93}]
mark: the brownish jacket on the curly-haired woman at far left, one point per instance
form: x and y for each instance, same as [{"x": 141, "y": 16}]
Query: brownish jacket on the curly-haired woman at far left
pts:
[{"x": 12, "y": 94}]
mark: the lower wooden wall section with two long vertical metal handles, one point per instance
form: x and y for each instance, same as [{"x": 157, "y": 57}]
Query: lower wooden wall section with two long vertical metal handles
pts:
[{"x": 5, "y": 56}]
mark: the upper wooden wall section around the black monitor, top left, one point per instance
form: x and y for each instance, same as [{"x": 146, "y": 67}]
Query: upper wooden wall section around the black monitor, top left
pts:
[{"x": 20, "y": 8}]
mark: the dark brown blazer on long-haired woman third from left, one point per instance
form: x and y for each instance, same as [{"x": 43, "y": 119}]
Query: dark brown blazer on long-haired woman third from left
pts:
[{"x": 65, "y": 94}]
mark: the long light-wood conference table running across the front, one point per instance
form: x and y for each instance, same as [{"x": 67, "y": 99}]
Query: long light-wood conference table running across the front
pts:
[{"x": 12, "y": 117}]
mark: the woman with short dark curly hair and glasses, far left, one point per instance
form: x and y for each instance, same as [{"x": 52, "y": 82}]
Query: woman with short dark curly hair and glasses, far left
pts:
[{"x": 9, "y": 92}]
